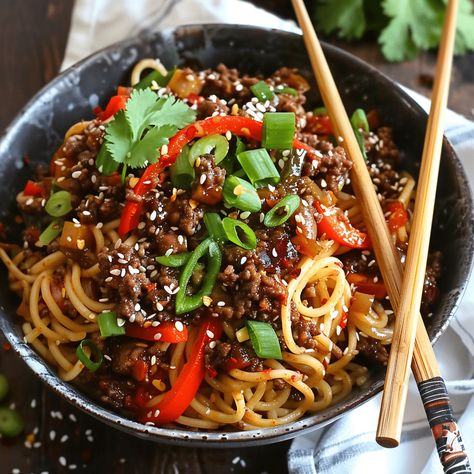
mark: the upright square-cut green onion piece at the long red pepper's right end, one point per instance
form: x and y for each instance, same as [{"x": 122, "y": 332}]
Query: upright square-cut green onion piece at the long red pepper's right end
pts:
[{"x": 278, "y": 130}]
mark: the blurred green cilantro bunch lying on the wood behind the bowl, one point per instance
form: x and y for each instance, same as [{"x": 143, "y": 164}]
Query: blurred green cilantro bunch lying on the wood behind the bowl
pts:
[{"x": 405, "y": 27}]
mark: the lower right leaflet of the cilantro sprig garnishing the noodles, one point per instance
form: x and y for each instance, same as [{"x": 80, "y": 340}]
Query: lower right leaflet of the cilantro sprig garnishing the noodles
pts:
[{"x": 146, "y": 151}]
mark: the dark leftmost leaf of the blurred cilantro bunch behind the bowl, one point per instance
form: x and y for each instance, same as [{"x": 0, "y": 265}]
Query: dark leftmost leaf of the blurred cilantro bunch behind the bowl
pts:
[{"x": 347, "y": 18}]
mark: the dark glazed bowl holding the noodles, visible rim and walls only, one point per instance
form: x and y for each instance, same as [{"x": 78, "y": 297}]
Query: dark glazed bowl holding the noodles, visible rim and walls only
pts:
[{"x": 39, "y": 129}]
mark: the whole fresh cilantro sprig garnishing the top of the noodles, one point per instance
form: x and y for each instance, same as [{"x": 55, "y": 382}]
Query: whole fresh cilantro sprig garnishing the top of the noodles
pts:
[{"x": 135, "y": 135}]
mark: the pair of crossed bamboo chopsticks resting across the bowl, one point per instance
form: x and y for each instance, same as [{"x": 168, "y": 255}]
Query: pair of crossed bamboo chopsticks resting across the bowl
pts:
[{"x": 410, "y": 336}]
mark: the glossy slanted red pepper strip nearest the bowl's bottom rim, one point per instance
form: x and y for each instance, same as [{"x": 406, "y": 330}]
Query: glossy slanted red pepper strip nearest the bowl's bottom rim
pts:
[{"x": 182, "y": 393}]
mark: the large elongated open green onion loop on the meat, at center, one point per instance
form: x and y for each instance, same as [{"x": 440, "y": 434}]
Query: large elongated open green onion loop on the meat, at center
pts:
[{"x": 186, "y": 303}]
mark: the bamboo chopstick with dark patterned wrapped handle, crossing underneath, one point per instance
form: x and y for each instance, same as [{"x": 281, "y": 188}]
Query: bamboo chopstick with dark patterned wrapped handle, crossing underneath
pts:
[{"x": 424, "y": 365}]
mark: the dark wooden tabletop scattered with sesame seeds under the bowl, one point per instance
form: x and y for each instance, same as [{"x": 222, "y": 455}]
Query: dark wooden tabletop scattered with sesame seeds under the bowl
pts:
[{"x": 33, "y": 36}]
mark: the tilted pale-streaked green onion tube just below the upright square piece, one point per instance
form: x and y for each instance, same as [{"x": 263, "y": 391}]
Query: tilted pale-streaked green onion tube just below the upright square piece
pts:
[{"x": 259, "y": 167}]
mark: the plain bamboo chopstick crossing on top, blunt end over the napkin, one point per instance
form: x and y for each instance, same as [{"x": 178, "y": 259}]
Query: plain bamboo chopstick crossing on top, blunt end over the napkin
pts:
[{"x": 396, "y": 378}]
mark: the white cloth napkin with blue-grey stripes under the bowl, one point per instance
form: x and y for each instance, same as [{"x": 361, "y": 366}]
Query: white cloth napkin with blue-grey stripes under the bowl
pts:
[{"x": 346, "y": 446}]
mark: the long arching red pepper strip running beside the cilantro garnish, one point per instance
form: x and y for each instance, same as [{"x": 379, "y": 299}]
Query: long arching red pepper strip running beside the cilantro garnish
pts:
[{"x": 240, "y": 126}]
